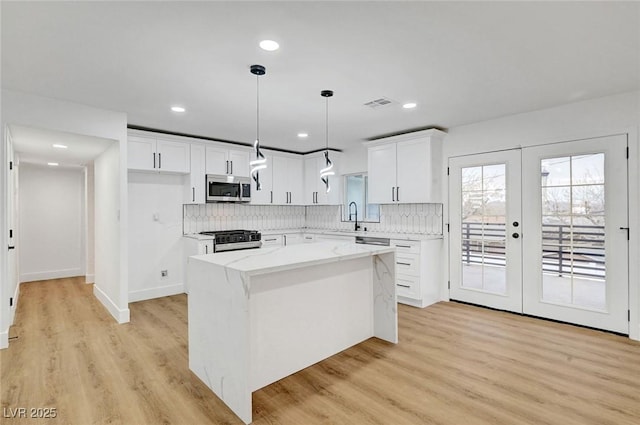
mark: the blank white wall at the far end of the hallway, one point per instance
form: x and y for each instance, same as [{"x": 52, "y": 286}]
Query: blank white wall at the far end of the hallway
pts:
[{"x": 51, "y": 217}]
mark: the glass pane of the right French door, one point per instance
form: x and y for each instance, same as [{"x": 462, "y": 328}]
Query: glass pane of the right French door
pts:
[{"x": 573, "y": 236}]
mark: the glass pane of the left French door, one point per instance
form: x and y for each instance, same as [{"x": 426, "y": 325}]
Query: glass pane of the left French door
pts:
[{"x": 483, "y": 228}]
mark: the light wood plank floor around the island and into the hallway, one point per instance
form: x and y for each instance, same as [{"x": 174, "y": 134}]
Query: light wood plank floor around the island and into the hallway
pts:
[{"x": 455, "y": 364}]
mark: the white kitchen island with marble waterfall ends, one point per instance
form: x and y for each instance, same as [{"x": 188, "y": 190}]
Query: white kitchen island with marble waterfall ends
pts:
[{"x": 256, "y": 316}]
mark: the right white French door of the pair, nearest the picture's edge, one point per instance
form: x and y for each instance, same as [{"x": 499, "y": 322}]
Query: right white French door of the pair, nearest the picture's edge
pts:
[{"x": 576, "y": 232}]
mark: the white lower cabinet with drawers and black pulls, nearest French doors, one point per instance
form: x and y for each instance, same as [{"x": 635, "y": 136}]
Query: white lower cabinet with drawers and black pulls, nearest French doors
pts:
[{"x": 418, "y": 271}]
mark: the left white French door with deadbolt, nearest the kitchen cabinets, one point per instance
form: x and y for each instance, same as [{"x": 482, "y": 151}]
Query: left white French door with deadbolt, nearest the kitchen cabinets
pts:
[{"x": 485, "y": 244}]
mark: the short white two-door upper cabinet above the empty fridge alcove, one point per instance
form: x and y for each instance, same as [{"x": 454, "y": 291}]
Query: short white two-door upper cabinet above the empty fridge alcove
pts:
[{"x": 151, "y": 154}]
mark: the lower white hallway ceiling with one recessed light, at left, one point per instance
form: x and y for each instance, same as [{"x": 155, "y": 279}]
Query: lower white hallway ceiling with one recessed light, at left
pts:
[{"x": 36, "y": 146}]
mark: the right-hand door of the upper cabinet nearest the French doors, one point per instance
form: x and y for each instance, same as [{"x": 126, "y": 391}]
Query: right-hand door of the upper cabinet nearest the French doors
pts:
[{"x": 413, "y": 171}]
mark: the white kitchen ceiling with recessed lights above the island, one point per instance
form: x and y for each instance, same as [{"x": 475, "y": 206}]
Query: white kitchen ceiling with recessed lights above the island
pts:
[{"x": 462, "y": 62}]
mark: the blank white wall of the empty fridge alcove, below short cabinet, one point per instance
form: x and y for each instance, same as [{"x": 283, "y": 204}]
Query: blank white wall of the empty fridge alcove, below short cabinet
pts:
[{"x": 155, "y": 235}]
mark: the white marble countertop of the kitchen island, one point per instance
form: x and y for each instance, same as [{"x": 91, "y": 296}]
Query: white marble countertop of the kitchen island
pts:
[{"x": 275, "y": 259}]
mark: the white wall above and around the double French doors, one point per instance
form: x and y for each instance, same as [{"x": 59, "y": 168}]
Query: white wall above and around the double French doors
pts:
[{"x": 592, "y": 118}]
